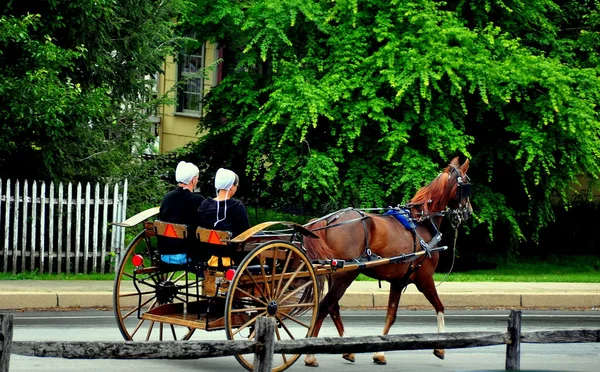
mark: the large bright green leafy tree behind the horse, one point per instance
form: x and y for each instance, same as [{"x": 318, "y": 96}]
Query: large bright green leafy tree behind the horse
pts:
[{"x": 362, "y": 102}]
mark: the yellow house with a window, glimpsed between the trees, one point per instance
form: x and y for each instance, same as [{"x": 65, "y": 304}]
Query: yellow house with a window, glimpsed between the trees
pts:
[{"x": 177, "y": 124}]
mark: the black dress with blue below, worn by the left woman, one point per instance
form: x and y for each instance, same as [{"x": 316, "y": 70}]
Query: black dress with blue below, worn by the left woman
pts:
[{"x": 179, "y": 206}]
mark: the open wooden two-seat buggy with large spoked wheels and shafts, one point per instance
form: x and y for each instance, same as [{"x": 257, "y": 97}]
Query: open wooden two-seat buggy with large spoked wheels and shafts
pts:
[{"x": 269, "y": 274}]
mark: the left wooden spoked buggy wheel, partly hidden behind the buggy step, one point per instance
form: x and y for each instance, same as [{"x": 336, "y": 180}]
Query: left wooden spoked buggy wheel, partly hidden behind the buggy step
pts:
[{"x": 139, "y": 289}]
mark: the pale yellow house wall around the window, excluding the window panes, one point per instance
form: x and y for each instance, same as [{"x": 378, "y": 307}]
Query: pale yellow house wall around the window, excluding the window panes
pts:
[{"x": 177, "y": 129}]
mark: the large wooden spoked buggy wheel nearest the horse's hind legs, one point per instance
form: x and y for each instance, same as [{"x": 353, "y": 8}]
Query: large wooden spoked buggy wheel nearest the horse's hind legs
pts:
[{"x": 276, "y": 280}]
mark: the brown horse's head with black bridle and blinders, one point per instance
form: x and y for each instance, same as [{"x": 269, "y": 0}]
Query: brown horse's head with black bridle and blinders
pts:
[{"x": 460, "y": 191}]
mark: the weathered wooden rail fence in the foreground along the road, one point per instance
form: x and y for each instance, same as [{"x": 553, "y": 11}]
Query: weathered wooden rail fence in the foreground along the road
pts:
[{"x": 265, "y": 345}]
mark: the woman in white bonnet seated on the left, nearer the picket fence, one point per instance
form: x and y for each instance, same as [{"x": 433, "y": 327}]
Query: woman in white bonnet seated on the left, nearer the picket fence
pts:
[{"x": 180, "y": 206}]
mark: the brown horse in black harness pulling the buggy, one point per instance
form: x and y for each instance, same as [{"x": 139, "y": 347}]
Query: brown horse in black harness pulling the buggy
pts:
[{"x": 351, "y": 234}]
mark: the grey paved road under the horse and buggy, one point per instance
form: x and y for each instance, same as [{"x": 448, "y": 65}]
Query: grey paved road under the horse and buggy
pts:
[{"x": 100, "y": 326}]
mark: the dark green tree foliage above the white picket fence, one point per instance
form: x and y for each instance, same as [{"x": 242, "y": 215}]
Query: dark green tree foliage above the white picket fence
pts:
[{"x": 77, "y": 84}]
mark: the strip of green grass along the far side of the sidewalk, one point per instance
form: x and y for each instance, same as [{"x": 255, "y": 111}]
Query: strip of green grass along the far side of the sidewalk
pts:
[{"x": 565, "y": 269}]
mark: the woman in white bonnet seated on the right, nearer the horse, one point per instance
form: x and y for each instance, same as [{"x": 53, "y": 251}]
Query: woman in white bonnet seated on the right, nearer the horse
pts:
[{"x": 224, "y": 212}]
